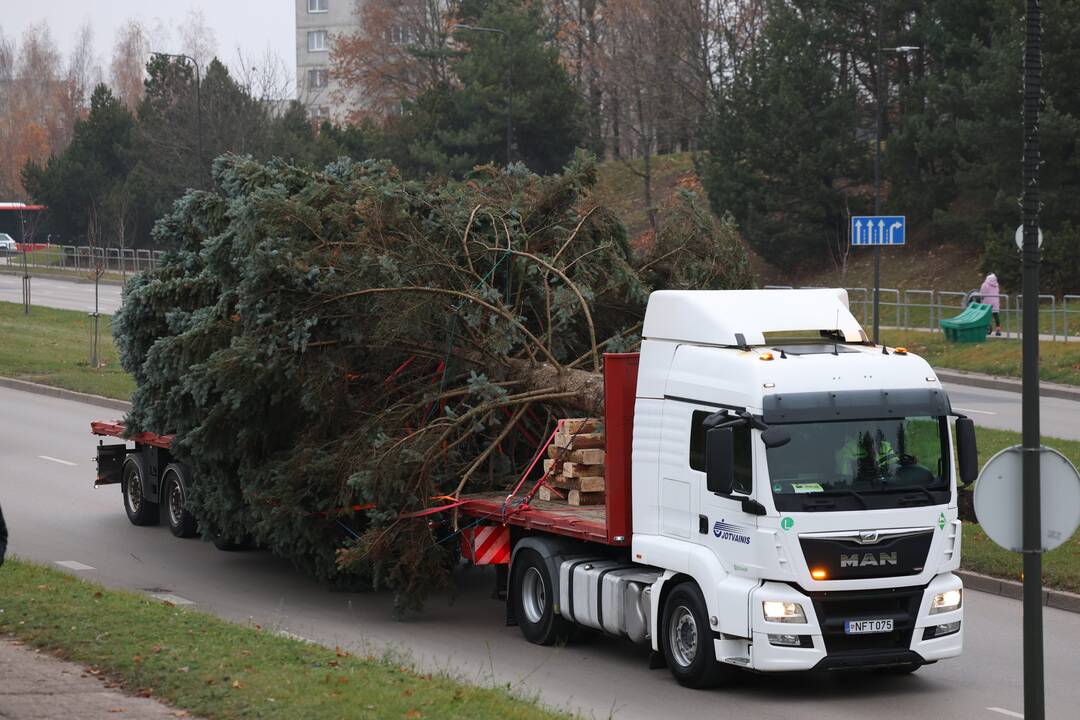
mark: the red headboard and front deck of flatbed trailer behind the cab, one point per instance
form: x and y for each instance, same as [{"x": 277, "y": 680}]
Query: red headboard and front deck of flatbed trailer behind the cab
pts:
[{"x": 610, "y": 524}]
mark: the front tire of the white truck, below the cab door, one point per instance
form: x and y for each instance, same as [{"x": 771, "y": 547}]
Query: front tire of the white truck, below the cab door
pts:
[{"x": 687, "y": 640}]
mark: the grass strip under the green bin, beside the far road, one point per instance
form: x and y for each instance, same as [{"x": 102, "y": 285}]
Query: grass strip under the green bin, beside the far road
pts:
[{"x": 1059, "y": 362}]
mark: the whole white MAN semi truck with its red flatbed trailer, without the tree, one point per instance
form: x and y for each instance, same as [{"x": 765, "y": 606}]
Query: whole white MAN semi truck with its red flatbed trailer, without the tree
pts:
[{"x": 781, "y": 495}]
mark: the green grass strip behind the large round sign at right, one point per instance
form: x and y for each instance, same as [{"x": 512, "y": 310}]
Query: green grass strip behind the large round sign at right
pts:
[{"x": 1061, "y": 568}]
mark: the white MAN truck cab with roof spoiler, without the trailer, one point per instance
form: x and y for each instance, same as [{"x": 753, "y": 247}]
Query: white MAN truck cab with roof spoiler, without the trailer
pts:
[{"x": 836, "y": 547}]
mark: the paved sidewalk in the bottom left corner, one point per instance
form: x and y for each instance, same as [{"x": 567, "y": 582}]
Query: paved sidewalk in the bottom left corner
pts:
[{"x": 35, "y": 686}]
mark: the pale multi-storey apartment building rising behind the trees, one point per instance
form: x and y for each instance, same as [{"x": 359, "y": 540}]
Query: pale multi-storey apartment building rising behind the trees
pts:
[{"x": 317, "y": 22}]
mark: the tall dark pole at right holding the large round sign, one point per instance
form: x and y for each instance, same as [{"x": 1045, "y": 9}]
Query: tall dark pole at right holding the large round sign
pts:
[{"x": 1034, "y": 684}]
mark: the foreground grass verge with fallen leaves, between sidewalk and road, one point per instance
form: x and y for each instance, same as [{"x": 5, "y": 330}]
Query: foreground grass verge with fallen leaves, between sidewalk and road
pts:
[{"x": 219, "y": 670}]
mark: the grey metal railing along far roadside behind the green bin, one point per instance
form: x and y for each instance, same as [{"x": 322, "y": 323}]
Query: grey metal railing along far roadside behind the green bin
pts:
[{"x": 916, "y": 309}]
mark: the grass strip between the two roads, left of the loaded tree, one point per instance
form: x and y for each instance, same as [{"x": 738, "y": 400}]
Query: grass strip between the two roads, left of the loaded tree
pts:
[{"x": 52, "y": 347}]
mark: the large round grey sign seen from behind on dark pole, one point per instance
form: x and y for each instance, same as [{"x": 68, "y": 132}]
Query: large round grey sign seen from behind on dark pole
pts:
[{"x": 1000, "y": 498}]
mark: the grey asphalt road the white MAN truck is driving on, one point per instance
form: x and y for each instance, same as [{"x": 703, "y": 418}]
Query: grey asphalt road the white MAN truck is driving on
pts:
[{"x": 56, "y": 517}]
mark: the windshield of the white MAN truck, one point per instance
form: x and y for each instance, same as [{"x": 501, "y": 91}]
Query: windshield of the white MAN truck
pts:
[{"x": 861, "y": 458}]
